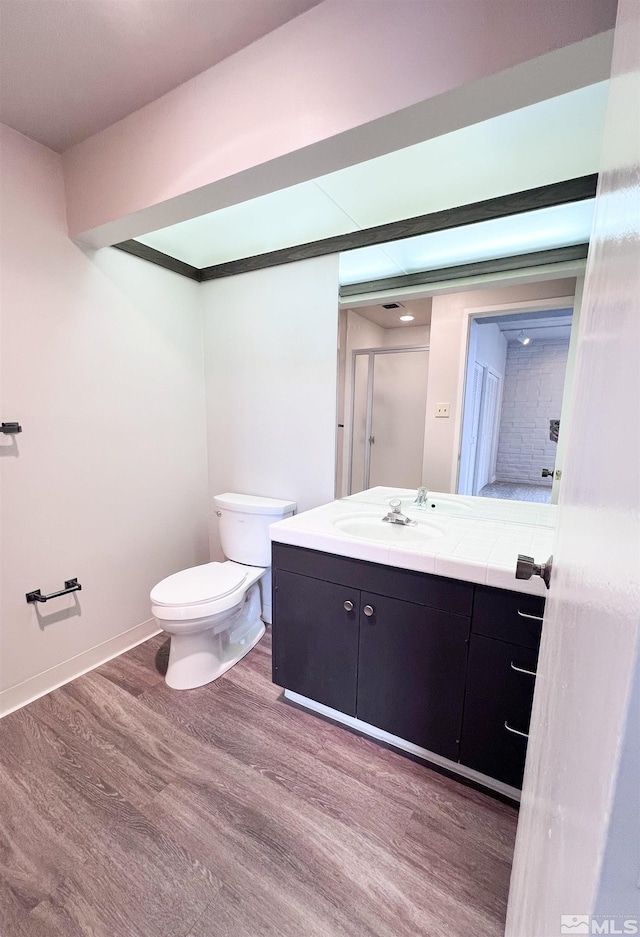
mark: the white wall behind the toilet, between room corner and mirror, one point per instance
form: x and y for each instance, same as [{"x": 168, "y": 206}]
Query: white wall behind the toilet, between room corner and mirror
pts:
[{"x": 271, "y": 361}]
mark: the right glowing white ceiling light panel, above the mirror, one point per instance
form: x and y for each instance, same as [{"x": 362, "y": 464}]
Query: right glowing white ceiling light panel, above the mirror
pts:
[{"x": 556, "y": 139}]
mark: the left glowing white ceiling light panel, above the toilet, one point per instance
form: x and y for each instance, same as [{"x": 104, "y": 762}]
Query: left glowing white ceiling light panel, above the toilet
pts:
[{"x": 286, "y": 218}]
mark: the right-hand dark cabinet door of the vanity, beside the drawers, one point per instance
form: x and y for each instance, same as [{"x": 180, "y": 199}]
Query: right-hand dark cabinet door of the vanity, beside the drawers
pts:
[{"x": 411, "y": 672}]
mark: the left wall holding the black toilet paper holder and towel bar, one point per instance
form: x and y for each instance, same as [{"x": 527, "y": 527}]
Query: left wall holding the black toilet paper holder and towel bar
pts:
[{"x": 102, "y": 364}]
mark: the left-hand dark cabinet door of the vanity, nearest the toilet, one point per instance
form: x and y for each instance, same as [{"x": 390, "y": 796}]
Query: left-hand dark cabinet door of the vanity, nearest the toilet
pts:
[{"x": 315, "y": 639}]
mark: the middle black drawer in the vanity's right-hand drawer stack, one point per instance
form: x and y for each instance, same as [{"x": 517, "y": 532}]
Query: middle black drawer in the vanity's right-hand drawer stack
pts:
[{"x": 503, "y": 672}]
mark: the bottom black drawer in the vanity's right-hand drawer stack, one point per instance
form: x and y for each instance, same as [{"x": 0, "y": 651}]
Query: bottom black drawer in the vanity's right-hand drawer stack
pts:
[{"x": 487, "y": 745}]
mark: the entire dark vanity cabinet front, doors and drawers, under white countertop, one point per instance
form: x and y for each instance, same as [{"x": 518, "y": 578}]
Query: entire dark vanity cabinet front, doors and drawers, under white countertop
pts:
[{"x": 438, "y": 662}]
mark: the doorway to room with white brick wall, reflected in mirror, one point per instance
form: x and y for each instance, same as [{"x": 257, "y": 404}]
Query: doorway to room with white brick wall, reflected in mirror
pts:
[{"x": 516, "y": 367}]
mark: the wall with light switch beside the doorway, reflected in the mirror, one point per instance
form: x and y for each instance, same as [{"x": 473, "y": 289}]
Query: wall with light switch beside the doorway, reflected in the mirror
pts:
[{"x": 448, "y": 340}]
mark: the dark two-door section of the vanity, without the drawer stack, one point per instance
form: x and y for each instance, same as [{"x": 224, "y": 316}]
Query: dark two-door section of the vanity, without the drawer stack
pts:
[{"x": 387, "y": 646}]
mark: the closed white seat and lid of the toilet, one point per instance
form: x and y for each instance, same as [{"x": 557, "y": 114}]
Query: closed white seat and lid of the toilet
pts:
[{"x": 202, "y": 591}]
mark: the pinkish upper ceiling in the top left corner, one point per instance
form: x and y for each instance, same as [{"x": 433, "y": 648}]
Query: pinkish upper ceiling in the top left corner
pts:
[{"x": 70, "y": 68}]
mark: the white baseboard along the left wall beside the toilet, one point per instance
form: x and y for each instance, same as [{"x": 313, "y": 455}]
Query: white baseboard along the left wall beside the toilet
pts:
[{"x": 15, "y": 697}]
